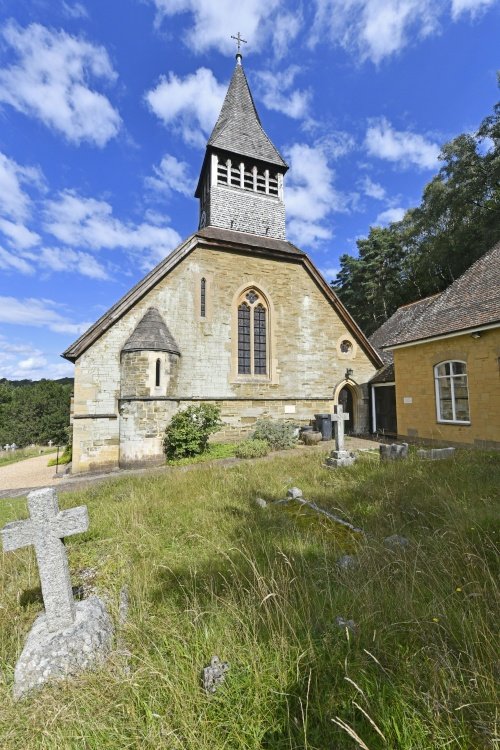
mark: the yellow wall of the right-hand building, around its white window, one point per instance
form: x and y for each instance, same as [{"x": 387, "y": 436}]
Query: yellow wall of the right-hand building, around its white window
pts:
[{"x": 416, "y": 397}]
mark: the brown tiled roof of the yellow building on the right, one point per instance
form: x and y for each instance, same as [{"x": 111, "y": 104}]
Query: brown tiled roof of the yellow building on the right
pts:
[{"x": 471, "y": 302}]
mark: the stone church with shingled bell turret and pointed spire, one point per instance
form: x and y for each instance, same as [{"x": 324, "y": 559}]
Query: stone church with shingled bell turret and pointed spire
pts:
[{"x": 236, "y": 316}]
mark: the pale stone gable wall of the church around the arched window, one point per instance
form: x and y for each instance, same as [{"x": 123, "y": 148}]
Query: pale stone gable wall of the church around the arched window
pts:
[{"x": 305, "y": 365}]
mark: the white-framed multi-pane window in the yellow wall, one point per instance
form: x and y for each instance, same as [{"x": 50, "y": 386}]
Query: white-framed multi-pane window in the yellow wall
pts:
[{"x": 452, "y": 393}]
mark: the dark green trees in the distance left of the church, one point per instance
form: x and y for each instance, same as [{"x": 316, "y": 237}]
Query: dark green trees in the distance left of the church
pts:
[{"x": 34, "y": 412}]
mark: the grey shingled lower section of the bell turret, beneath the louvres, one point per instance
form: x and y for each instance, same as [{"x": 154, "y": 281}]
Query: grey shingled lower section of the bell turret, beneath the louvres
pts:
[{"x": 245, "y": 211}]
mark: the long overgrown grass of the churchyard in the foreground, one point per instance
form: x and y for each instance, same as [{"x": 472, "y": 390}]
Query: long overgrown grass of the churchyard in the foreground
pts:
[{"x": 210, "y": 572}]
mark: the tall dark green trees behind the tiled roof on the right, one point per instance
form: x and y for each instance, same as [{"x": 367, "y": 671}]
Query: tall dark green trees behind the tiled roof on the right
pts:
[{"x": 457, "y": 221}]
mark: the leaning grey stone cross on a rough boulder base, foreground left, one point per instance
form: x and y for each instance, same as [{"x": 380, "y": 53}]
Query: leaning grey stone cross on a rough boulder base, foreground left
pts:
[{"x": 45, "y": 530}]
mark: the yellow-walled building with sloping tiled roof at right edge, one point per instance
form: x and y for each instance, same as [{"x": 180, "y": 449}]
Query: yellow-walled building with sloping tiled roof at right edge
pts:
[{"x": 446, "y": 353}]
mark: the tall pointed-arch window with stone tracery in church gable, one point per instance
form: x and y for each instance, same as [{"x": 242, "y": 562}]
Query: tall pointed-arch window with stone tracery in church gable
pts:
[{"x": 252, "y": 334}]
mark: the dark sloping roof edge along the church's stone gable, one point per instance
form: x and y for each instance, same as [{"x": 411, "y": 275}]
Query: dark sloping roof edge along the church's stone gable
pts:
[{"x": 222, "y": 240}]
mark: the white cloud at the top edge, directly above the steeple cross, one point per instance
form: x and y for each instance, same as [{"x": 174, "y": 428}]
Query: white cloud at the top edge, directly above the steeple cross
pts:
[{"x": 215, "y": 22}]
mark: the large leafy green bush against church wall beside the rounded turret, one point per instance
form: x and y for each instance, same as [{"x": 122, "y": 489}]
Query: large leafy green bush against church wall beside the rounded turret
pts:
[{"x": 189, "y": 430}]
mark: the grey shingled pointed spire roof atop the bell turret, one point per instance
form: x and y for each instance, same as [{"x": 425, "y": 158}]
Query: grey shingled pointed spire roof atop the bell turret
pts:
[{"x": 239, "y": 129}]
